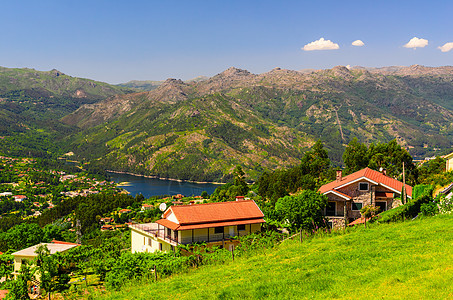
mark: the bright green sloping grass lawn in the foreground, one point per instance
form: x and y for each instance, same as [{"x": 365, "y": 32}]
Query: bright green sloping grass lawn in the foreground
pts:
[{"x": 410, "y": 260}]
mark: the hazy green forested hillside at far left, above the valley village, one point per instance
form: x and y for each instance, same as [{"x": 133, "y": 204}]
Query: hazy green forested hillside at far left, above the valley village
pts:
[{"x": 32, "y": 102}]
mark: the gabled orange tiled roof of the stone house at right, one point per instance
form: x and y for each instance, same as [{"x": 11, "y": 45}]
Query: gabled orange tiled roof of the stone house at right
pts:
[{"x": 369, "y": 175}]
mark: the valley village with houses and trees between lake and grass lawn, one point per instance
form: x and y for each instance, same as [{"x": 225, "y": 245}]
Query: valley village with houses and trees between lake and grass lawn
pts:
[{"x": 81, "y": 230}]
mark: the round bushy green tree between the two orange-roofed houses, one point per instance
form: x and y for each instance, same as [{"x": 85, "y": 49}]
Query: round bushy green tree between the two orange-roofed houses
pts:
[{"x": 304, "y": 210}]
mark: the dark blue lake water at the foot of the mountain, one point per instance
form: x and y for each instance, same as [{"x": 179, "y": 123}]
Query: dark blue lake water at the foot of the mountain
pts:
[{"x": 149, "y": 187}]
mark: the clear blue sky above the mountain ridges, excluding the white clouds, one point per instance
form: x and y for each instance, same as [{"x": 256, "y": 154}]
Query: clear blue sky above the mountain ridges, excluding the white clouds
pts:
[{"x": 118, "y": 41}]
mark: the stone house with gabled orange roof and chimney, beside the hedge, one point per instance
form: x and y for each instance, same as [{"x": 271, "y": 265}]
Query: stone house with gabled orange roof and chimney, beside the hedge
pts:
[{"x": 347, "y": 195}]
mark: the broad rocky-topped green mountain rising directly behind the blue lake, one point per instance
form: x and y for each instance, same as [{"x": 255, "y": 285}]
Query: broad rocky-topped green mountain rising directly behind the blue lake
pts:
[{"x": 201, "y": 130}]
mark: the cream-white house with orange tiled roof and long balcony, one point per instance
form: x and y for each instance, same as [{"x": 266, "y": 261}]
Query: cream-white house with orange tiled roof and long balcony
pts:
[{"x": 213, "y": 223}]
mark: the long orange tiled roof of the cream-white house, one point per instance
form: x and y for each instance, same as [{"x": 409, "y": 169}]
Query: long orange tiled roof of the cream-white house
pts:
[{"x": 213, "y": 215}]
